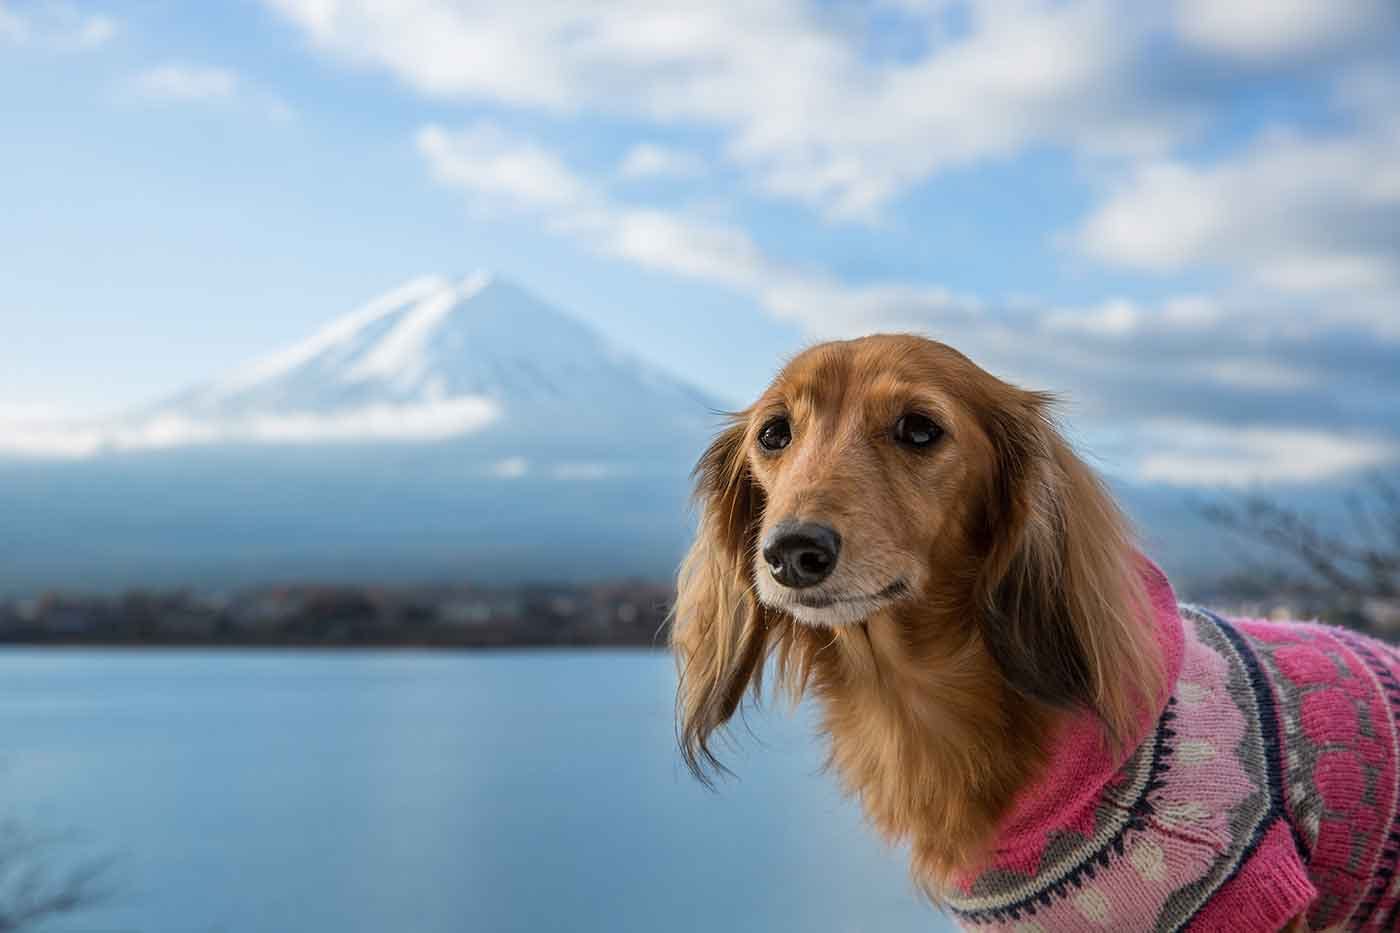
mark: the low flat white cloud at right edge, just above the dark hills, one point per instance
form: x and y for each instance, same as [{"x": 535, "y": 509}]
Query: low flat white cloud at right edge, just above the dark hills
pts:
[{"x": 1207, "y": 455}]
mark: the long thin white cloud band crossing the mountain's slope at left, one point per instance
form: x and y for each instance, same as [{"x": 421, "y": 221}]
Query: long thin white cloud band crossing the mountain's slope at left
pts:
[{"x": 437, "y": 420}]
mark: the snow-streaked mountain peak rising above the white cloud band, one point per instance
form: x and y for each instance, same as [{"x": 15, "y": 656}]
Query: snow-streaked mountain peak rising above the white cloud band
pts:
[{"x": 435, "y": 344}]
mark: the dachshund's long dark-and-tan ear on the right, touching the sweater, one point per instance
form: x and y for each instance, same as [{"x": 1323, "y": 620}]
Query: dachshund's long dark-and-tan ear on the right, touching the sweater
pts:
[{"x": 1065, "y": 607}]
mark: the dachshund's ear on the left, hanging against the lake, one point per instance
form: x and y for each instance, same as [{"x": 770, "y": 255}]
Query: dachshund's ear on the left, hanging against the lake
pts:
[{"x": 720, "y": 631}]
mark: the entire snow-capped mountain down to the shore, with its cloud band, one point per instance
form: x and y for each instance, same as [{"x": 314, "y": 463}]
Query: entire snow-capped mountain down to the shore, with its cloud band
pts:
[{"x": 447, "y": 431}]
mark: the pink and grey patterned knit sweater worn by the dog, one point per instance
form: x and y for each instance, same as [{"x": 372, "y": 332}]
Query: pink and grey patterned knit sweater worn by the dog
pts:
[{"x": 1265, "y": 788}]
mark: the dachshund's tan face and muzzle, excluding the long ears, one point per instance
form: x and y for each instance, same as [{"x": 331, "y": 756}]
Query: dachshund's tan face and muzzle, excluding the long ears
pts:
[{"x": 870, "y": 462}]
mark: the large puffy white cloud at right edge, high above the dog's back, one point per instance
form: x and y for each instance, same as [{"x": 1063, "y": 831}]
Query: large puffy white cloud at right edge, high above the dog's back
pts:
[{"x": 1291, "y": 215}]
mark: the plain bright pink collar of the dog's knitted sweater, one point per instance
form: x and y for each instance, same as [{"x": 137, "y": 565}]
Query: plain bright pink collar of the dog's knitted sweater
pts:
[{"x": 1081, "y": 764}]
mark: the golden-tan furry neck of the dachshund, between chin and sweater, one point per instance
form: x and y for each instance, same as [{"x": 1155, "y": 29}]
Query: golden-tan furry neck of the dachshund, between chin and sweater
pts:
[{"x": 927, "y": 735}]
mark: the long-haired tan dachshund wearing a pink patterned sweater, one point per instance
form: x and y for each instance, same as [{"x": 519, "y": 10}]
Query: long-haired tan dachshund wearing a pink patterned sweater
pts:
[{"x": 1007, "y": 686}]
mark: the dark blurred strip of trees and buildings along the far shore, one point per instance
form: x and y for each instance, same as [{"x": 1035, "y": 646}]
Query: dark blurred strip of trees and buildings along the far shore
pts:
[{"x": 527, "y": 616}]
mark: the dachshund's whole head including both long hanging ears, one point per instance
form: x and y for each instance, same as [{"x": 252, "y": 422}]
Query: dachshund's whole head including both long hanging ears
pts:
[{"x": 888, "y": 476}]
